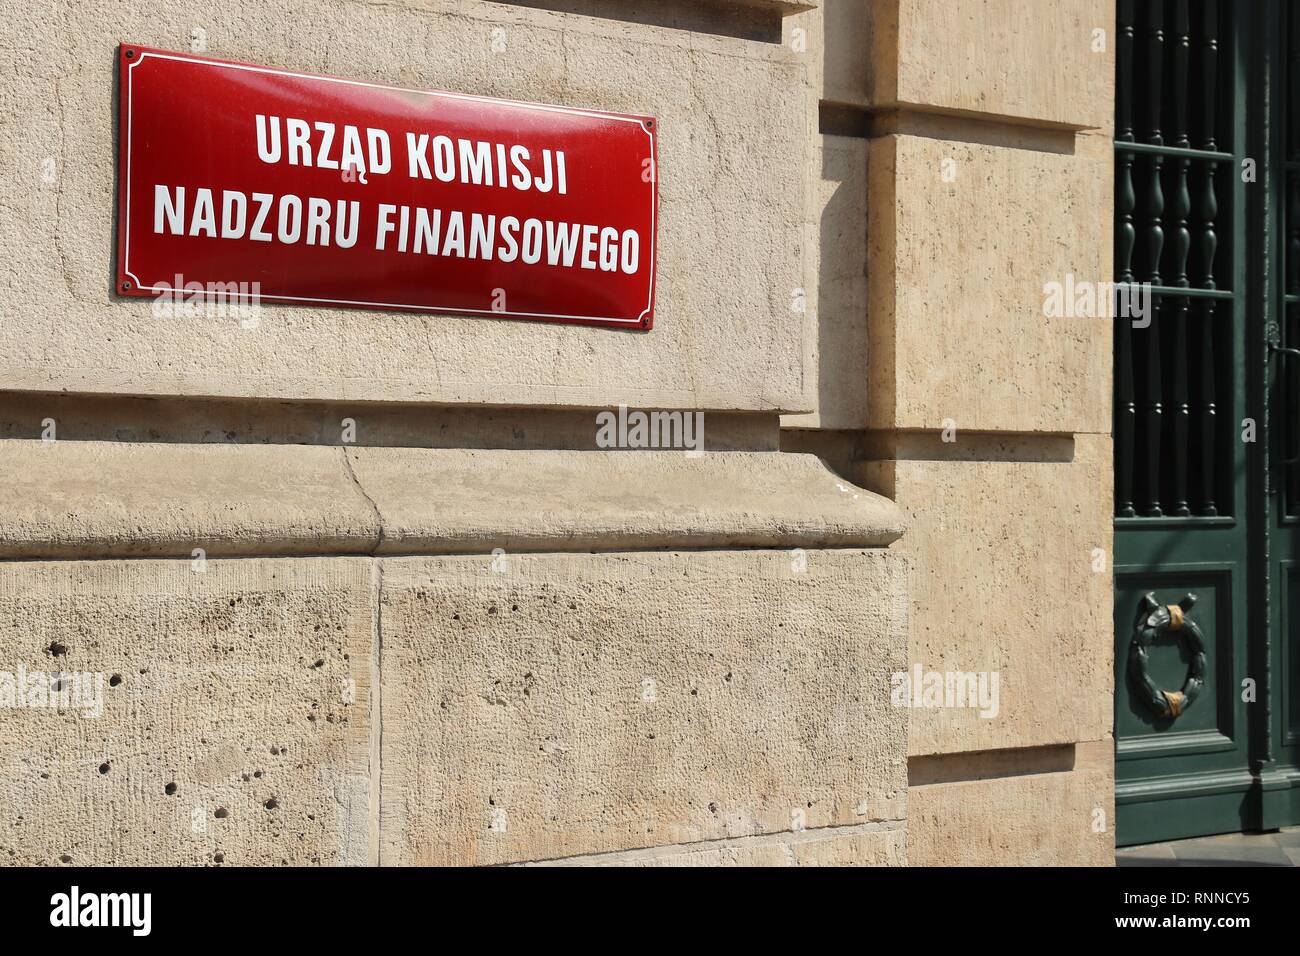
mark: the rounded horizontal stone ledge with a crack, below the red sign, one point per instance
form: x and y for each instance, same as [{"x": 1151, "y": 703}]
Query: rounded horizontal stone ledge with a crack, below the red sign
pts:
[{"x": 106, "y": 500}]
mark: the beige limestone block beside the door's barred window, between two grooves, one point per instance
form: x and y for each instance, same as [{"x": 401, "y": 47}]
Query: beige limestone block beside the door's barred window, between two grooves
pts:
[{"x": 963, "y": 241}]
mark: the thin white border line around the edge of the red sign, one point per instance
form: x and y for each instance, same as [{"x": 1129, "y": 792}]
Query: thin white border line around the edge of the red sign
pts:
[{"x": 127, "y": 256}]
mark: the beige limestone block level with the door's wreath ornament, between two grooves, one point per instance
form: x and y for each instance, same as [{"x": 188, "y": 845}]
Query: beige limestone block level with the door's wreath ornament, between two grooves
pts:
[{"x": 1003, "y": 589}]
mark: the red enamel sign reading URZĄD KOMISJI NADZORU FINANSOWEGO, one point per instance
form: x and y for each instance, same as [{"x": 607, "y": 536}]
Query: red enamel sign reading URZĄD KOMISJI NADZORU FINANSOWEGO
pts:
[{"x": 328, "y": 192}]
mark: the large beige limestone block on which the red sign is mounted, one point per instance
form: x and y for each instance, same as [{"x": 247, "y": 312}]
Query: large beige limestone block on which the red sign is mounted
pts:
[{"x": 735, "y": 119}]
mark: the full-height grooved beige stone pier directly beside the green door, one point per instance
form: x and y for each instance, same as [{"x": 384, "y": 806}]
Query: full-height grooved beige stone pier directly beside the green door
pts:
[{"x": 987, "y": 175}]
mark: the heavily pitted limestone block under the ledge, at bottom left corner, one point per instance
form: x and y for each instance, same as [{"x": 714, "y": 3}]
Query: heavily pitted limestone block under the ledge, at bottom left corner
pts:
[{"x": 232, "y": 721}]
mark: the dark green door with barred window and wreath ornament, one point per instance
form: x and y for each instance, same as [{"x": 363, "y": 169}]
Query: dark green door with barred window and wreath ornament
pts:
[{"x": 1207, "y": 198}]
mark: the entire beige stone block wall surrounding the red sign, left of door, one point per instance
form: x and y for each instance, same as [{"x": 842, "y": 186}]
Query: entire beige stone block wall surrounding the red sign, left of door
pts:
[{"x": 363, "y": 589}]
